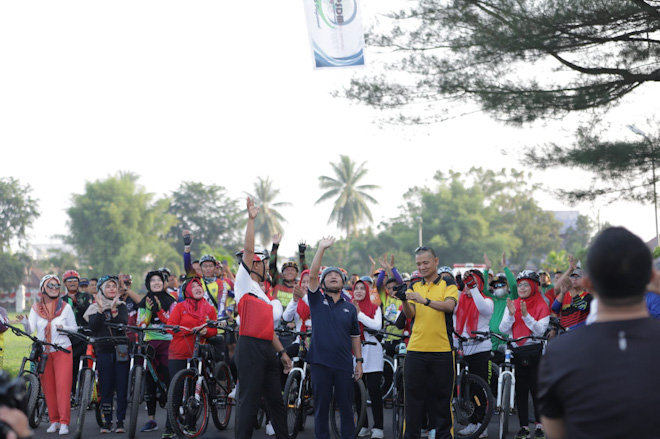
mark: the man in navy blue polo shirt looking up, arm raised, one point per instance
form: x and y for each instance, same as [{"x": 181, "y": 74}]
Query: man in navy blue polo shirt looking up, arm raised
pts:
[{"x": 335, "y": 333}]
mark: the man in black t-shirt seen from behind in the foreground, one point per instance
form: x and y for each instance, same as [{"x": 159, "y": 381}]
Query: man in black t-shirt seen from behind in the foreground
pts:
[{"x": 602, "y": 380}]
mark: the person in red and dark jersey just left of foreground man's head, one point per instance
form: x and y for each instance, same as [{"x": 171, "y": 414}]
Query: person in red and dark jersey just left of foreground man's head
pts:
[{"x": 572, "y": 306}]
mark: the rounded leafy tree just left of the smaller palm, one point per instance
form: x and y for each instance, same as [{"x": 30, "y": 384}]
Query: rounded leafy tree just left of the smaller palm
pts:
[{"x": 213, "y": 217}]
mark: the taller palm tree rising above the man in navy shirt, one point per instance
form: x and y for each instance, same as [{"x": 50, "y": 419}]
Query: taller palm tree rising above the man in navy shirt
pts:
[{"x": 351, "y": 199}]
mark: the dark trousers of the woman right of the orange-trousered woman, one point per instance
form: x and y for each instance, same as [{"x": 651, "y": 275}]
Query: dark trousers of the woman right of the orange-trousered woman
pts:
[{"x": 113, "y": 377}]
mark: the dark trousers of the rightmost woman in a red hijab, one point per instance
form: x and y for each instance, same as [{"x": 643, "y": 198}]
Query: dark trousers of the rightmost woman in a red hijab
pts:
[{"x": 527, "y": 371}]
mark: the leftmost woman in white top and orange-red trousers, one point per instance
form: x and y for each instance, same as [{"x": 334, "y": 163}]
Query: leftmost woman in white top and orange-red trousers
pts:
[{"x": 46, "y": 316}]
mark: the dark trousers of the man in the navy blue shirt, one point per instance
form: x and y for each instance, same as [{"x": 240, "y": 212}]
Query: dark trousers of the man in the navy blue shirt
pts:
[{"x": 327, "y": 381}]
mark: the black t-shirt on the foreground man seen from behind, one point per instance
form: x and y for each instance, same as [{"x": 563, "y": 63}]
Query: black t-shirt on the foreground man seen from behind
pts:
[{"x": 603, "y": 380}]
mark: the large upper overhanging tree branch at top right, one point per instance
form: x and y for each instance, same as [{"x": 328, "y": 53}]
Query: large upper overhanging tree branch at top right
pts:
[{"x": 516, "y": 60}]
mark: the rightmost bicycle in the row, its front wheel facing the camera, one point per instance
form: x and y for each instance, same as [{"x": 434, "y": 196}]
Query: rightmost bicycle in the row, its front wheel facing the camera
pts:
[{"x": 506, "y": 382}]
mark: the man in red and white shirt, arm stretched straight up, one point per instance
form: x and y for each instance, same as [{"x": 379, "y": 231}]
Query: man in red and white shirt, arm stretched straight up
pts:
[{"x": 259, "y": 350}]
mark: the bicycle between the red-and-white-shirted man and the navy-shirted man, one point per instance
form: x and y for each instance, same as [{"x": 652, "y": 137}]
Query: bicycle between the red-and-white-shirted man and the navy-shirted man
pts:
[{"x": 298, "y": 397}]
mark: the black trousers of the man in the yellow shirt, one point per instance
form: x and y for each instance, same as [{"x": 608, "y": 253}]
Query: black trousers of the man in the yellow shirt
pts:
[{"x": 428, "y": 381}]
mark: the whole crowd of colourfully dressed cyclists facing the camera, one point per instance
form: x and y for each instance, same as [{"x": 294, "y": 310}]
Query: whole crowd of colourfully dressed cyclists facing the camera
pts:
[{"x": 343, "y": 314}]
